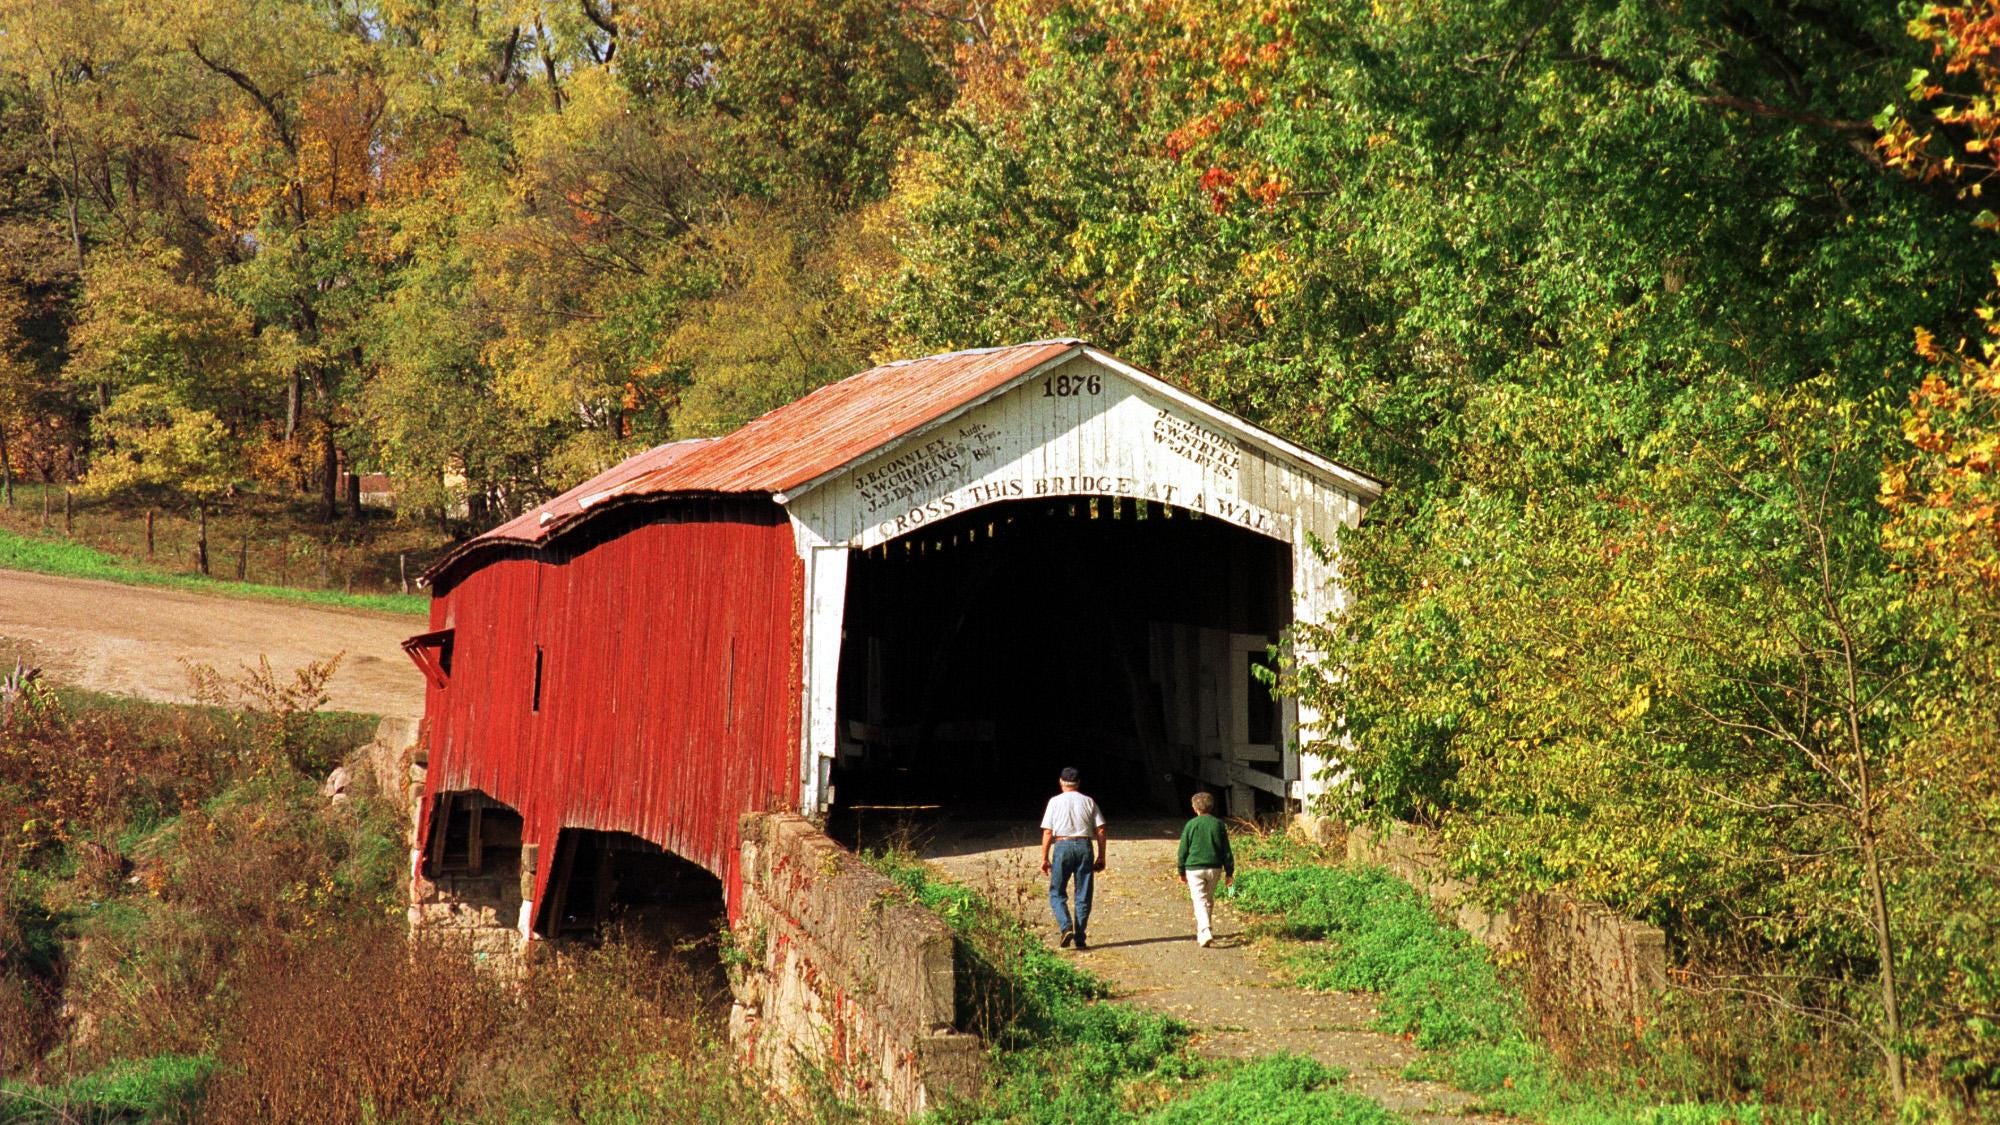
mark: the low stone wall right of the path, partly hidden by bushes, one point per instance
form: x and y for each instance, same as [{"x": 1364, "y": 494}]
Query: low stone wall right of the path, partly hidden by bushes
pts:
[{"x": 1593, "y": 958}]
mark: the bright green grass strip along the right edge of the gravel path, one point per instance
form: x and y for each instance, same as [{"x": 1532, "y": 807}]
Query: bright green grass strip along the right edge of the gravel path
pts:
[{"x": 1363, "y": 930}]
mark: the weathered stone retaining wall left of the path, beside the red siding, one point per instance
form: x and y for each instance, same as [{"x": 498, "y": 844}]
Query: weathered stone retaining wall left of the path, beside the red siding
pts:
[{"x": 841, "y": 978}]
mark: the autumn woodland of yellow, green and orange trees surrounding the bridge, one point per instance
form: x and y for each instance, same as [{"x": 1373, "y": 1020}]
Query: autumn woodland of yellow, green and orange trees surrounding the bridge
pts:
[{"x": 1683, "y": 592}]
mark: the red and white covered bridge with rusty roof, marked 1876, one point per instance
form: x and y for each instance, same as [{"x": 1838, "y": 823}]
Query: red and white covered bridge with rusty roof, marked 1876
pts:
[{"x": 933, "y": 584}]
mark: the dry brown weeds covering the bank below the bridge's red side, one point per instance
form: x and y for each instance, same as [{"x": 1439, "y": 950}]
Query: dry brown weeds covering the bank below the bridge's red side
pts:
[{"x": 255, "y": 958}]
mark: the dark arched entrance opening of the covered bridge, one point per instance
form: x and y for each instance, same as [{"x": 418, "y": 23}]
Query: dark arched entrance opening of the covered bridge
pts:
[{"x": 987, "y": 652}]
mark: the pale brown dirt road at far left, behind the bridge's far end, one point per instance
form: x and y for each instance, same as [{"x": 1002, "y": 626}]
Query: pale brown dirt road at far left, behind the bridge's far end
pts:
[{"x": 141, "y": 640}]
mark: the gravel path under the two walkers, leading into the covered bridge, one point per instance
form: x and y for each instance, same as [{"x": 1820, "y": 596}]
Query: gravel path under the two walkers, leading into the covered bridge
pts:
[{"x": 1143, "y": 942}]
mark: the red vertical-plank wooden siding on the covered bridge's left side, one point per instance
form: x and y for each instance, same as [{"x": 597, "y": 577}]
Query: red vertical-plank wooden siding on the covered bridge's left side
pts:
[{"x": 669, "y": 682}]
